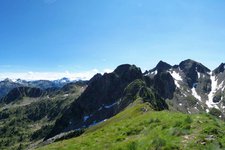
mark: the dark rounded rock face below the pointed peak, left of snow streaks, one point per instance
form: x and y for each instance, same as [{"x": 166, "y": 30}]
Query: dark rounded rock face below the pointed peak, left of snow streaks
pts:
[{"x": 164, "y": 85}]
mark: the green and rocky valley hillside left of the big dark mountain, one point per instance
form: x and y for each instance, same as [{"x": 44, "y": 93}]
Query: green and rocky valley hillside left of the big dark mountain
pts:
[{"x": 28, "y": 114}]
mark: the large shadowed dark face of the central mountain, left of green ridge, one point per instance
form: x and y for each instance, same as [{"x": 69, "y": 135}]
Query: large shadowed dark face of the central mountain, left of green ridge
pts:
[{"x": 98, "y": 101}]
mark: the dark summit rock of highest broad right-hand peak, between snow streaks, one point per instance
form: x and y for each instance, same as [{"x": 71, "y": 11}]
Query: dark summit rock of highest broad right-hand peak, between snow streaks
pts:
[{"x": 190, "y": 68}]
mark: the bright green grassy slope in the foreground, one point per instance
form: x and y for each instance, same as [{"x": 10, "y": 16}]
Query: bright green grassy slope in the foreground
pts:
[{"x": 139, "y": 127}]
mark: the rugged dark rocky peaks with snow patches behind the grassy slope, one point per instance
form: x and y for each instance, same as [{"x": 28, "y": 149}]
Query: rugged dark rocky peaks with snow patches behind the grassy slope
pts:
[{"x": 189, "y": 87}]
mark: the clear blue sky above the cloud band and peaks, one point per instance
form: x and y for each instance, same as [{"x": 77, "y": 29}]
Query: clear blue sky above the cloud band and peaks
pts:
[{"x": 85, "y": 35}]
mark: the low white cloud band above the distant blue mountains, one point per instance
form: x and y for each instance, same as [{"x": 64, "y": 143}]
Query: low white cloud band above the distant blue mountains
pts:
[{"x": 86, "y": 75}]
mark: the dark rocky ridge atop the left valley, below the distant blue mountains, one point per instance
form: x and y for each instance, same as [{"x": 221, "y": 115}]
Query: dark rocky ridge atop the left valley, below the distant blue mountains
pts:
[{"x": 20, "y": 92}]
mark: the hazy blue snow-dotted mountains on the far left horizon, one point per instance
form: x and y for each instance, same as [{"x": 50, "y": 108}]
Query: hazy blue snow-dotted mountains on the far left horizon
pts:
[{"x": 7, "y": 84}]
